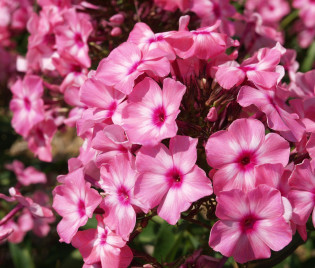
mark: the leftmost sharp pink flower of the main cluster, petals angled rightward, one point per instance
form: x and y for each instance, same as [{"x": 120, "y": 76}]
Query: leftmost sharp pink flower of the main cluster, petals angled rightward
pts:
[{"x": 75, "y": 201}]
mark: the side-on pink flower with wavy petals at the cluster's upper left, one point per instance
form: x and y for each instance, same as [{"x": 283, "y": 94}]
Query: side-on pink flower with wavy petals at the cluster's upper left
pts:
[{"x": 127, "y": 62}]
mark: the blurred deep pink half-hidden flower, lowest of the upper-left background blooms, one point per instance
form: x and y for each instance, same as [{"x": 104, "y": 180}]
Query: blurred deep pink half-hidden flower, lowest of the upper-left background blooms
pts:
[{"x": 39, "y": 139}]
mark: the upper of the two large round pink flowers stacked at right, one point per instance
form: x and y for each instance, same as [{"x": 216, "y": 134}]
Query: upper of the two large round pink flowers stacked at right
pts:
[{"x": 236, "y": 151}]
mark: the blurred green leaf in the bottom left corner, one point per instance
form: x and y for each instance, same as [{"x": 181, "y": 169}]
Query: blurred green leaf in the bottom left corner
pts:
[{"x": 21, "y": 256}]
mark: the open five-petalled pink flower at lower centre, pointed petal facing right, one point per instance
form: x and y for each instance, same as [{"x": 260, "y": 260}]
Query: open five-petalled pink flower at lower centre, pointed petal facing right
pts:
[{"x": 169, "y": 177}]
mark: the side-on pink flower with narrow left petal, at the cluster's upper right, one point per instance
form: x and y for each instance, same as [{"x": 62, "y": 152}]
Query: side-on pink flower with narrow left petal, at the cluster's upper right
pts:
[{"x": 262, "y": 69}]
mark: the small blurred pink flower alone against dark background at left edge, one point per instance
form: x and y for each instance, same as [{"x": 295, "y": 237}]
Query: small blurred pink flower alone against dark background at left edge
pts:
[{"x": 26, "y": 176}]
